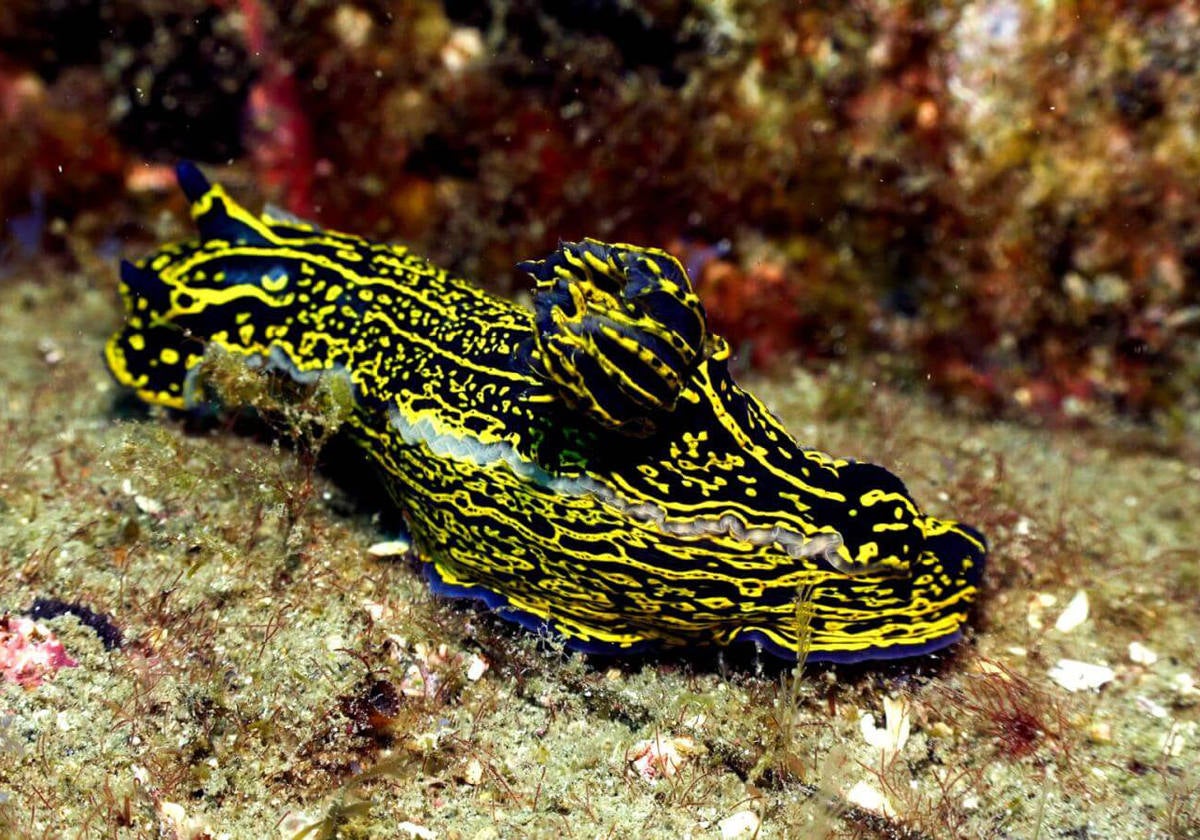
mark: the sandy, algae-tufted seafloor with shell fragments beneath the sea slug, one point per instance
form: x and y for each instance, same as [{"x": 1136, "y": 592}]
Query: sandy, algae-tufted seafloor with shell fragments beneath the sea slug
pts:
[{"x": 245, "y": 667}]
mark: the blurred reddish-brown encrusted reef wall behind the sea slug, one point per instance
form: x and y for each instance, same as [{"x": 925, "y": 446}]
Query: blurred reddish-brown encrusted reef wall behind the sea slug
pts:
[{"x": 998, "y": 200}]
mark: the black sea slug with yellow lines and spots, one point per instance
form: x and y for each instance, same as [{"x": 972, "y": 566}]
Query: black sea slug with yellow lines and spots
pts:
[{"x": 589, "y": 469}]
